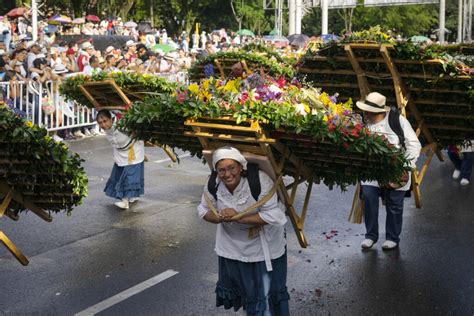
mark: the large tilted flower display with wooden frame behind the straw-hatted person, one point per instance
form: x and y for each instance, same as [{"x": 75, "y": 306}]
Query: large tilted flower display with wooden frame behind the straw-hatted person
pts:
[{"x": 432, "y": 89}]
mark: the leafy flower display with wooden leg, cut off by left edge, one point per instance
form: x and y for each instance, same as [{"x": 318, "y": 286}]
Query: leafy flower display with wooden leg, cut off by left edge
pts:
[{"x": 37, "y": 174}]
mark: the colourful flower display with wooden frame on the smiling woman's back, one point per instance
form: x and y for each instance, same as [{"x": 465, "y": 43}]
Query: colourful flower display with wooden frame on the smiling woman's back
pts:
[{"x": 301, "y": 132}]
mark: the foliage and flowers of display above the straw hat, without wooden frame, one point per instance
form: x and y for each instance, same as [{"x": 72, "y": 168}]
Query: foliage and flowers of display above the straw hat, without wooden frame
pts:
[{"x": 440, "y": 86}]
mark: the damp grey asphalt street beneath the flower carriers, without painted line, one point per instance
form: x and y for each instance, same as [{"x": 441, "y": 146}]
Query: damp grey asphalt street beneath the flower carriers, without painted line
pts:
[{"x": 80, "y": 261}]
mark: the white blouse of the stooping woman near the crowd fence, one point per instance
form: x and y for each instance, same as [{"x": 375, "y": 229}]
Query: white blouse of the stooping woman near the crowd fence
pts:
[{"x": 122, "y": 145}]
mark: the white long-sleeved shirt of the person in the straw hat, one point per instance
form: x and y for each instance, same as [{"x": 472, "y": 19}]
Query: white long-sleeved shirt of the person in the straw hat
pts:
[{"x": 412, "y": 143}]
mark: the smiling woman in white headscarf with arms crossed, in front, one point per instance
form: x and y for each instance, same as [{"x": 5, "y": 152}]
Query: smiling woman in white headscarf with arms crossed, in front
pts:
[{"x": 251, "y": 250}]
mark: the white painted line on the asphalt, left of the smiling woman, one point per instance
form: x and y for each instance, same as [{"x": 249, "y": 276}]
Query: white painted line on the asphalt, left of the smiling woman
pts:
[{"x": 97, "y": 308}]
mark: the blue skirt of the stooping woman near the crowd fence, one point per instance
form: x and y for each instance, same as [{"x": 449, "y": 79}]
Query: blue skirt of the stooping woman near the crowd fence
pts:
[{"x": 126, "y": 182}]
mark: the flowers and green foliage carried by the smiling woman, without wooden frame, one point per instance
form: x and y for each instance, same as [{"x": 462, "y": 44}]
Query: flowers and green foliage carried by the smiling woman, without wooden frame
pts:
[{"x": 283, "y": 107}]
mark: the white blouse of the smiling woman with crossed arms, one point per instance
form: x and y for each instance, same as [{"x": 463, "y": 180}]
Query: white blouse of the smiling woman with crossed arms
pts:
[{"x": 232, "y": 239}]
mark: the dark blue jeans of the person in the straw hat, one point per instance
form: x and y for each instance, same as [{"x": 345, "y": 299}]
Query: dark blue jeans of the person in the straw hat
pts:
[{"x": 393, "y": 206}]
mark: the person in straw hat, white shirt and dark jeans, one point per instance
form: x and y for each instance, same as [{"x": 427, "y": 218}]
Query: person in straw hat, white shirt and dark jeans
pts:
[{"x": 376, "y": 114}]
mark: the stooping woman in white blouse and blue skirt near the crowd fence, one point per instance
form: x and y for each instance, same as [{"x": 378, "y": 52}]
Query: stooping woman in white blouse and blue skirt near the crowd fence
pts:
[{"x": 127, "y": 180}]
